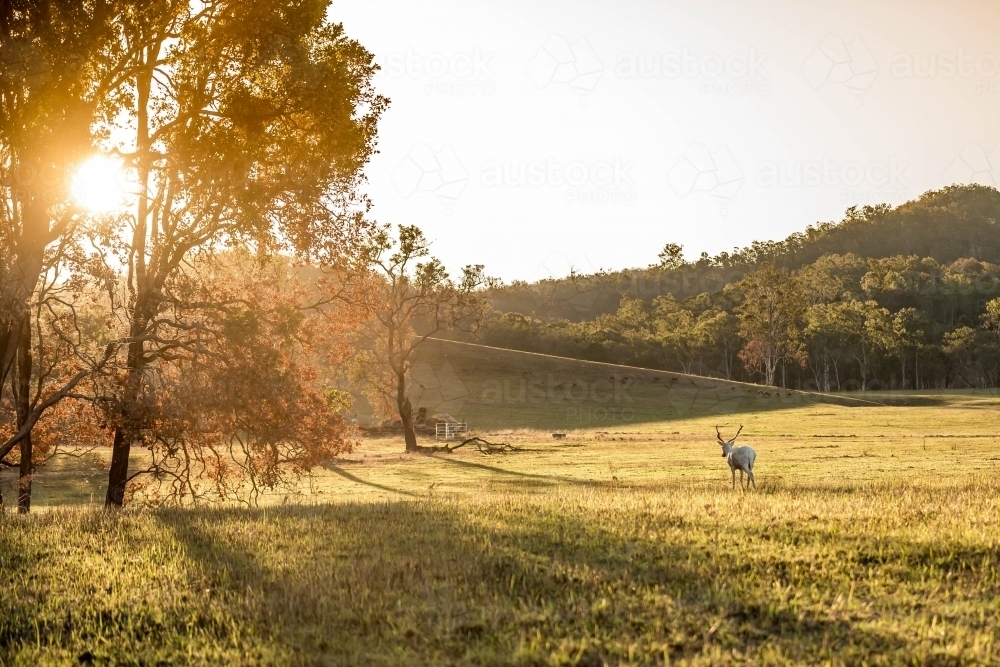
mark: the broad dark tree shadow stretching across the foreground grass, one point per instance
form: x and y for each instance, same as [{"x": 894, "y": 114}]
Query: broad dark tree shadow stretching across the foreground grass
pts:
[{"x": 407, "y": 583}]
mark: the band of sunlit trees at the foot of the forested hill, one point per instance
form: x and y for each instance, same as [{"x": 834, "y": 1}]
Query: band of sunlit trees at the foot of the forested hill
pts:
[{"x": 839, "y": 323}]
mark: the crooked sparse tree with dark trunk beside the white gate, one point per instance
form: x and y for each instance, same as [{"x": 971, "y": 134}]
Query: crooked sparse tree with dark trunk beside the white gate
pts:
[{"x": 411, "y": 299}]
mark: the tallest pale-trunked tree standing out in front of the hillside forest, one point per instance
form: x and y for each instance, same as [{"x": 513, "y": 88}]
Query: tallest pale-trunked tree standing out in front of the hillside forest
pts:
[{"x": 770, "y": 318}]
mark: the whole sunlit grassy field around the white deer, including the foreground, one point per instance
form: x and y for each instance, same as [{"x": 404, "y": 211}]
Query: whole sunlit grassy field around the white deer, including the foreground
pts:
[{"x": 874, "y": 538}]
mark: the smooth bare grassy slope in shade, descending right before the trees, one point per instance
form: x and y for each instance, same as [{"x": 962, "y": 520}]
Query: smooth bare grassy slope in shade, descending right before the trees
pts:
[{"x": 494, "y": 388}]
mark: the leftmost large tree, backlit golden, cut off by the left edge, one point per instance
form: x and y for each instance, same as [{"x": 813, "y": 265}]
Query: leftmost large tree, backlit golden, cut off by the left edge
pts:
[{"x": 56, "y": 66}]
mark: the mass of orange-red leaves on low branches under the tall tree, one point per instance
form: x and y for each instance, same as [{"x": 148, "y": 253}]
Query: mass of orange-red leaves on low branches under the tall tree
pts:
[{"x": 242, "y": 410}]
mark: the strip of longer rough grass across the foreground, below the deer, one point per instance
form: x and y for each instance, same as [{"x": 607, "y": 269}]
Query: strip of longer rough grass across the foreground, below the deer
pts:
[{"x": 885, "y": 573}]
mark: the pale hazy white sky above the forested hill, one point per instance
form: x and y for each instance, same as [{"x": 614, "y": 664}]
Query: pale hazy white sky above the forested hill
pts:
[{"x": 535, "y": 136}]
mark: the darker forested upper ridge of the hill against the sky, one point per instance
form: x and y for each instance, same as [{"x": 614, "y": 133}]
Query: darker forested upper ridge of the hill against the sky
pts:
[{"x": 959, "y": 221}]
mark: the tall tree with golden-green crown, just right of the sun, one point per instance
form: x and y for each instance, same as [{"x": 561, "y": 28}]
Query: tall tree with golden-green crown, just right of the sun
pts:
[{"x": 246, "y": 122}]
